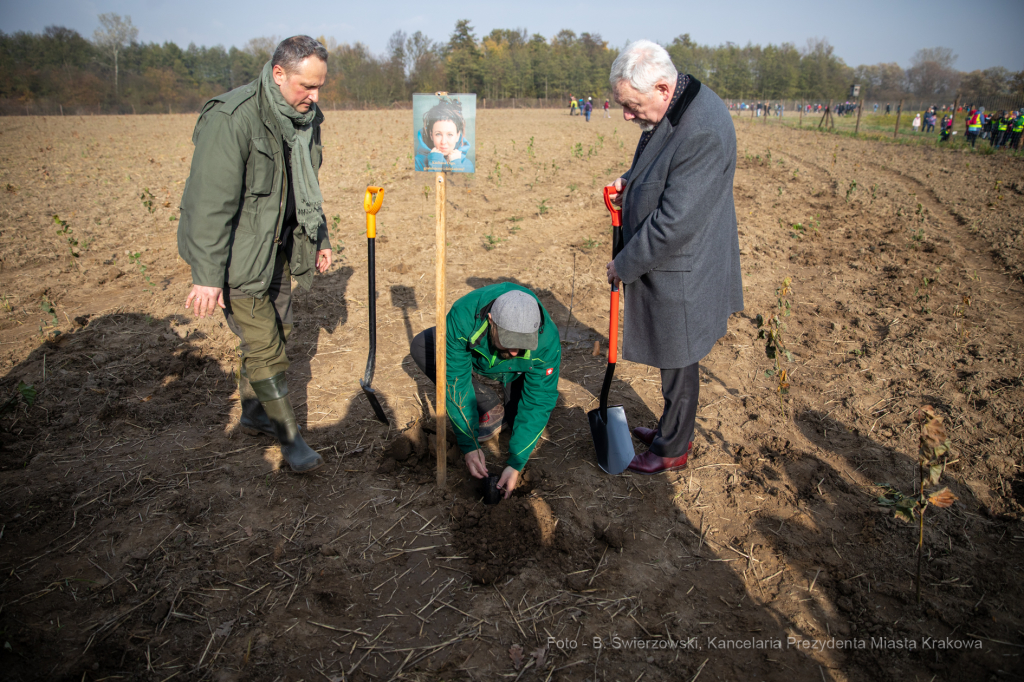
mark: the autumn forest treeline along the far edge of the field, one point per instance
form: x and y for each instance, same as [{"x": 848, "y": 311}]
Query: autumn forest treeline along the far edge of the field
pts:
[{"x": 61, "y": 70}]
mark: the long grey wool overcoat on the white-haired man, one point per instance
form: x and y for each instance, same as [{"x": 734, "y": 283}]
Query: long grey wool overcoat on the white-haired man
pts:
[{"x": 680, "y": 259}]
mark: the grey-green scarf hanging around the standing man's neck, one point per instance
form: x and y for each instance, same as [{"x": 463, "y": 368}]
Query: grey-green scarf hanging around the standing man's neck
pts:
[{"x": 297, "y": 131}]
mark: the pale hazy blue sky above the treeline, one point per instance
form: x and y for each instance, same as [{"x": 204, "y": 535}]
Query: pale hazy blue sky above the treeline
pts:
[{"x": 983, "y": 33}]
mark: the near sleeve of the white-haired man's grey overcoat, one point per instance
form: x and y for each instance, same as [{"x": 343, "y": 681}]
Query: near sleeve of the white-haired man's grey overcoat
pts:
[{"x": 668, "y": 230}]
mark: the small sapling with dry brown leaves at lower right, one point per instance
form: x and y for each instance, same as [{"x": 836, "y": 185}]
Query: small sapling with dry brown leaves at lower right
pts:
[{"x": 933, "y": 456}]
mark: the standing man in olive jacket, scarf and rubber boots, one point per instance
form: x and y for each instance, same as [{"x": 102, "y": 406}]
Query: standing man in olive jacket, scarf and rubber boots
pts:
[{"x": 252, "y": 220}]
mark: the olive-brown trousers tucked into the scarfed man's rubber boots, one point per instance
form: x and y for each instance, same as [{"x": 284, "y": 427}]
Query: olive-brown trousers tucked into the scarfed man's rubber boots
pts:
[{"x": 264, "y": 324}]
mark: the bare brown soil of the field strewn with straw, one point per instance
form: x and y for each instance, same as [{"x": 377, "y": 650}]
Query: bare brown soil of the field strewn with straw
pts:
[{"x": 145, "y": 538}]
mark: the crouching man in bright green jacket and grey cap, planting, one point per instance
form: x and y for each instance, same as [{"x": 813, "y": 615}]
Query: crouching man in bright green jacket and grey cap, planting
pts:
[{"x": 503, "y": 333}]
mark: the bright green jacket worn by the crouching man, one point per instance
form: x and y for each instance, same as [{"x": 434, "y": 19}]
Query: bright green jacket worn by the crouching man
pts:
[{"x": 468, "y": 351}]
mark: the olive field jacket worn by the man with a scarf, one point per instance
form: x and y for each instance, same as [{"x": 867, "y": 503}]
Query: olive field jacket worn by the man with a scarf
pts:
[{"x": 233, "y": 208}]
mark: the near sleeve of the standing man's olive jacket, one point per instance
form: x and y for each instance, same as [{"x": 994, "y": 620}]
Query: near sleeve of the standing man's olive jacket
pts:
[{"x": 212, "y": 197}]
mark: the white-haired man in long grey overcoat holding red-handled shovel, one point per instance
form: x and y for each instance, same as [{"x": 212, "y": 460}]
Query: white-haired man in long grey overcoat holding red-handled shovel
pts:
[{"x": 680, "y": 253}]
